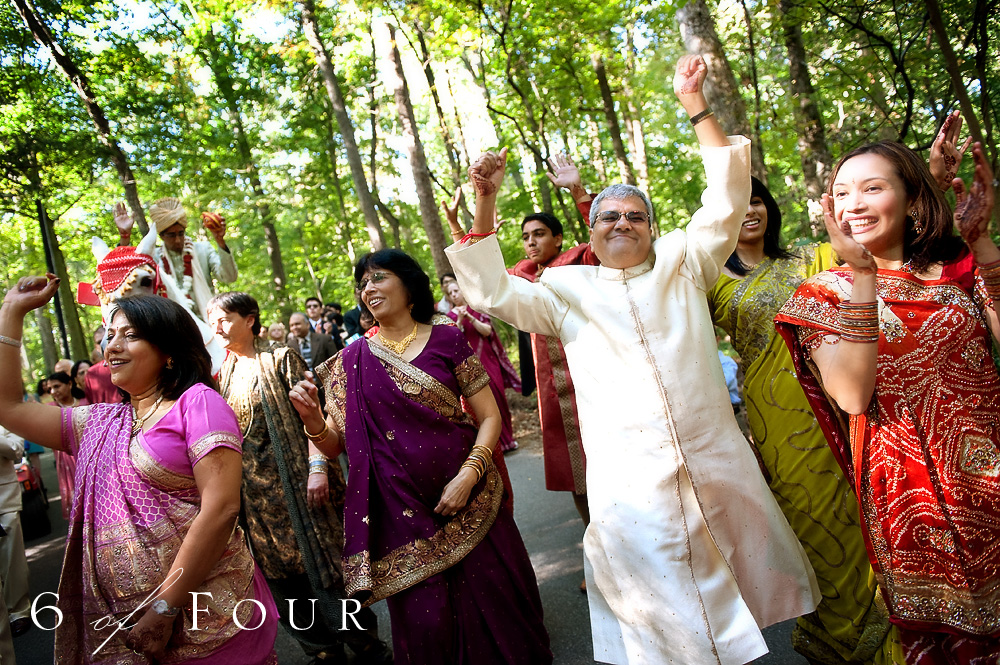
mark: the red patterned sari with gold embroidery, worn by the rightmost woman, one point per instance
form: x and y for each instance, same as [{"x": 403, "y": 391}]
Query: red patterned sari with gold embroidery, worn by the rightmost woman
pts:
[{"x": 923, "y": 457}]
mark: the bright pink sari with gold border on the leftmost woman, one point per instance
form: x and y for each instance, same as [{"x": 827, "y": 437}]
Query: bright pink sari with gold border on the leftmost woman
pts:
[{"x": 135, "y": 501}]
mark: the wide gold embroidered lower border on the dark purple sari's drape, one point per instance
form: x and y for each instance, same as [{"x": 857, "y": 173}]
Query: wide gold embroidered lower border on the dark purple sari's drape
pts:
[{"x": 415, "y": 561}]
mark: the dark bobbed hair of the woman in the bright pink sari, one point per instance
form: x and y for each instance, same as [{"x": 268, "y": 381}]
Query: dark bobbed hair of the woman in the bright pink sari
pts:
[{"x": 168, "y": 326}]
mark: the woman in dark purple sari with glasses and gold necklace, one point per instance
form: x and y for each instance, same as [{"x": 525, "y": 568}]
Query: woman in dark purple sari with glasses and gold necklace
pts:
[{"x": 425, "y": 522}]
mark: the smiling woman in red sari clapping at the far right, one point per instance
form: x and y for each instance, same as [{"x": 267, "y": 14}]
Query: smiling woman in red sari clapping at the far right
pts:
[{"x": 899, "y": 339}]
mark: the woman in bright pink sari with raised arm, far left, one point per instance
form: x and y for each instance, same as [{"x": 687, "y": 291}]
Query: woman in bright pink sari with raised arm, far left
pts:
[{"x": 153, "y": 521}]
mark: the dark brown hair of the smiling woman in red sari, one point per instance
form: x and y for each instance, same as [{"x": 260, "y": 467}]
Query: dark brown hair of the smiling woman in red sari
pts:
[{"x": 936, "y": 242}]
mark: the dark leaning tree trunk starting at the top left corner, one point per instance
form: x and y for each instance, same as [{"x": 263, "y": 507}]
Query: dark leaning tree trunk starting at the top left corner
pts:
[{"x": 40, "y": 31}]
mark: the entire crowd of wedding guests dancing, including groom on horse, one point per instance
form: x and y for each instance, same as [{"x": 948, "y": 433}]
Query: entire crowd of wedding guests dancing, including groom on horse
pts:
[{"x": 849, "y": 480}]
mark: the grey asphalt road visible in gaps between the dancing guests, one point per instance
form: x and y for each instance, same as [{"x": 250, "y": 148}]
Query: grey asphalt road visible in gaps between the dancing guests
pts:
[{"x": 552, "y": 532}]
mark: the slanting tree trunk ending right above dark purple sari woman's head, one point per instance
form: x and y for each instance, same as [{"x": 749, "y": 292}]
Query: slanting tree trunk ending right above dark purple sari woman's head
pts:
[{"x": 311, "y": 29}]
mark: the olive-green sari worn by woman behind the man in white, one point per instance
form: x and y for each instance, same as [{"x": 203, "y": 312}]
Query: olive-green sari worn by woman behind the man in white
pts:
[{"x": 851, "y": 622}]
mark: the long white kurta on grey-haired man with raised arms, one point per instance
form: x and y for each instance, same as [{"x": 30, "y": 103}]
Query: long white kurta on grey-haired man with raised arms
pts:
[{"x": 687, "y": 553}]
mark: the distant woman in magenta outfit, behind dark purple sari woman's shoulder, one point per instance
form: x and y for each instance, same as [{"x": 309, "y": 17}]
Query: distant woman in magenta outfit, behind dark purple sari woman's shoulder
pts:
[{"x": 479, "y": 333}]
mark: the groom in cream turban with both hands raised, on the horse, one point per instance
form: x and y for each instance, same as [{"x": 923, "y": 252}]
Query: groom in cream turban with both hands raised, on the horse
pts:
[{"x": 192, "y": 265}]
